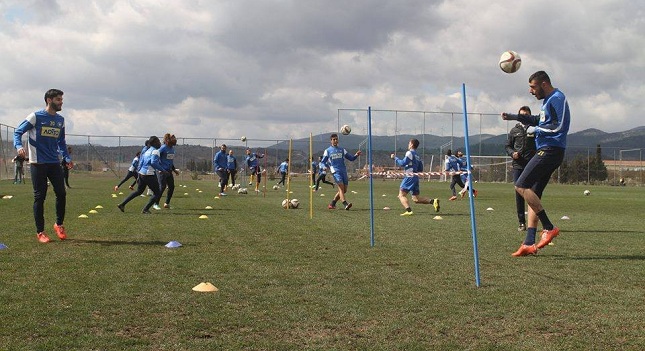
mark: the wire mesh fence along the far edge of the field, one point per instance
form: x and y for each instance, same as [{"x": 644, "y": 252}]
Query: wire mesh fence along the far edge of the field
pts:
[{"x": 113, "y": 155}]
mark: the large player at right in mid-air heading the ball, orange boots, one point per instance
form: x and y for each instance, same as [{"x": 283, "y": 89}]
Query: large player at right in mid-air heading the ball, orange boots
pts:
[{"x": 550, "y": 129}]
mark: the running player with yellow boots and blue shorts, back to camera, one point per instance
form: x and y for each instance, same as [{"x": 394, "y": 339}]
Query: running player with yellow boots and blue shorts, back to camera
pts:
[{"x": 412, "y": 165}]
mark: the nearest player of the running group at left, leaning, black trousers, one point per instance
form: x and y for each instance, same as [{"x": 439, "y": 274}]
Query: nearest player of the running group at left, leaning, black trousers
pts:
[{"x": 148, "y": 166}]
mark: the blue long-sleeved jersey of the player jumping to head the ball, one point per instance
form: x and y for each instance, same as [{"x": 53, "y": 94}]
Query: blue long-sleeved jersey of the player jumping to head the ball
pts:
[{"x": 552, "y": 123}]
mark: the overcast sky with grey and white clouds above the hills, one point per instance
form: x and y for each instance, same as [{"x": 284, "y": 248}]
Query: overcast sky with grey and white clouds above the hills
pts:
[{"x": 278, "y": 69}]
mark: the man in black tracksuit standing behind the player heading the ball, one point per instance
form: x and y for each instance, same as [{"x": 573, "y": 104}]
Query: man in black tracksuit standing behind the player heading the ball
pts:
[{"x": 521, "y": 147}]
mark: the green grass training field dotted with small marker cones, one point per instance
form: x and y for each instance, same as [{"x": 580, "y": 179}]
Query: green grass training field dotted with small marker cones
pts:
[{"x": 288, "y": 282}]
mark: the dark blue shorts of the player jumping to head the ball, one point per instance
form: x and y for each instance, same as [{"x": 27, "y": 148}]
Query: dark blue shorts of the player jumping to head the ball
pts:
[{"x": 538, "y": 171}]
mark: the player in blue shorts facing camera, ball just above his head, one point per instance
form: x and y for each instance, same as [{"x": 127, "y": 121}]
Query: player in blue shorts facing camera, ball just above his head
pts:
[{"x": 336, "y": 156}]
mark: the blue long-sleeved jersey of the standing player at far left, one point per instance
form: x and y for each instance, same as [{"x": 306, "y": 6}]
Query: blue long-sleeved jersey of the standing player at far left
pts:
[{"x": 46, "y": 137}]
